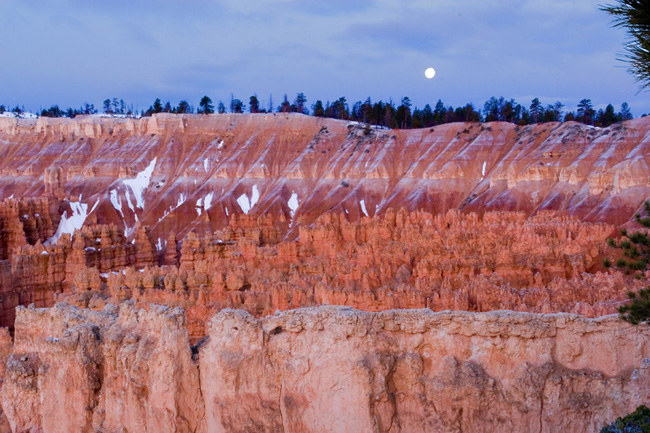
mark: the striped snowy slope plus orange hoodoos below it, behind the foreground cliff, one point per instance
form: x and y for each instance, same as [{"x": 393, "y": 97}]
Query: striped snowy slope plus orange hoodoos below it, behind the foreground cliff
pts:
[{"x": 266, "y": 212}]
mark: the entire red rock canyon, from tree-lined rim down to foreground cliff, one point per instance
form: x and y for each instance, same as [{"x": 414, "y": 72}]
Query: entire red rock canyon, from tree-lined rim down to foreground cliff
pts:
[{"x": 267, "y": 212}]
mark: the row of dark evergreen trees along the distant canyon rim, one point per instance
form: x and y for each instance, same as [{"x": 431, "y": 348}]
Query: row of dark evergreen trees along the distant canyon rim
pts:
[{"x": 388, "y": 114}]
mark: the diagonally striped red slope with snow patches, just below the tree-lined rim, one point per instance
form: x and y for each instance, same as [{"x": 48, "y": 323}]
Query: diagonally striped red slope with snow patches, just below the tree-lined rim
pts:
[{"x": 186, "y": 173}]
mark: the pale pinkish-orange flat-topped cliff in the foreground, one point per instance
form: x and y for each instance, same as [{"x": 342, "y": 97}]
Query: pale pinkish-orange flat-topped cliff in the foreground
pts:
[{"x": 326, "y": 369}]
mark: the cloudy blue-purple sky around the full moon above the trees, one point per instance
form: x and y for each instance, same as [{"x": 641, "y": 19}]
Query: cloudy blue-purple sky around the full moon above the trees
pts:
[{"x": 69, "y": 52}]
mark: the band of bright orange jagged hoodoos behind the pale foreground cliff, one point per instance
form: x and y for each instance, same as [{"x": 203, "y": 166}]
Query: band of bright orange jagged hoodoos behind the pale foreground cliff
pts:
[{"x": 546, "y": 263}]
